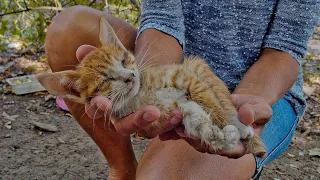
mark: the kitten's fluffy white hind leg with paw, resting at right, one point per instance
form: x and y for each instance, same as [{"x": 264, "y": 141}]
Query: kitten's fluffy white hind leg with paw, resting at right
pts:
[{"x": 198, "y": 123}]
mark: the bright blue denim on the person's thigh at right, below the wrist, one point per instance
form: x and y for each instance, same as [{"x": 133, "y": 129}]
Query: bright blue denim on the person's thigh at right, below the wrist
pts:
[{"x": 278, "y": 132}]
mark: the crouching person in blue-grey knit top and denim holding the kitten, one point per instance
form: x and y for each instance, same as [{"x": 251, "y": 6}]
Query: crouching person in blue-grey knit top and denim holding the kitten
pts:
[{"x": 255, "y": 47}]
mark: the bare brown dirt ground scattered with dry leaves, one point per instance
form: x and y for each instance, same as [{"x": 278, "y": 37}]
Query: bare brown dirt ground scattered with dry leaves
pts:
[{"x": 27, "y": 152}]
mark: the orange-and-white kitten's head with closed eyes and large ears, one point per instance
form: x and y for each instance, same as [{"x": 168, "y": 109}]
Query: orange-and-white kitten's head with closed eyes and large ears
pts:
[{"x": 110, "y": 71}]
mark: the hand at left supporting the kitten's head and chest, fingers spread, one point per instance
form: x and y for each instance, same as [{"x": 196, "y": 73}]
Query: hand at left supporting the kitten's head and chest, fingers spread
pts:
[{"x": 133, "y": 122}]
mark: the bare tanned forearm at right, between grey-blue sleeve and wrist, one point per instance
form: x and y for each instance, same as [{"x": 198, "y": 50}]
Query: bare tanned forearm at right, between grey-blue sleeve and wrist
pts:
[{"x": 270, "y": 77}]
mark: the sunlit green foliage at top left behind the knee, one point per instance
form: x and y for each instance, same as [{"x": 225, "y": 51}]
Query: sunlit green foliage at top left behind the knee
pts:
[{"x": 25, "y": 21}]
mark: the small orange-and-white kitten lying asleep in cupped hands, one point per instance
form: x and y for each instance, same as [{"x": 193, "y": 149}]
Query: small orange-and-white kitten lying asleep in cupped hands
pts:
[{"x": 203, "y": 98}]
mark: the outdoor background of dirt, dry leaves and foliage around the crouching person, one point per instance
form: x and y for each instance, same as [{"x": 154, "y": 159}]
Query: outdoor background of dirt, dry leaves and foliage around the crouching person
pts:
[{"x": 39, "y": 140}]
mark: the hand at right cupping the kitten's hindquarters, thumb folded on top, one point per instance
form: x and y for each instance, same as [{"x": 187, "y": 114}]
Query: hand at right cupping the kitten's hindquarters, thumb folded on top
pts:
[{"x": 252, "y": 110}]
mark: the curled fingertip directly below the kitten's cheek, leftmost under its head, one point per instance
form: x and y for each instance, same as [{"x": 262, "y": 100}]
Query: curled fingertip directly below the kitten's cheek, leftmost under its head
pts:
[{"x": 97, "y": 106}]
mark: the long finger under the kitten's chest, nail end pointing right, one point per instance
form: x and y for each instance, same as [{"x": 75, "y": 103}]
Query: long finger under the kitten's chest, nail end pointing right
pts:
[{"x": 137, "y": 120}]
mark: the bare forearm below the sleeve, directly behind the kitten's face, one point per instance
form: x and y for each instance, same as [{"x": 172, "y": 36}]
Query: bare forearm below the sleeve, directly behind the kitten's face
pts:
[{"x": 156, "y": 48}]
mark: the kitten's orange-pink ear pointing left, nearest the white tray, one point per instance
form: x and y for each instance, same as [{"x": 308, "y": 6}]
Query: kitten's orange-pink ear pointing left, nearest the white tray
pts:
[{"x": 64, "y": 84}]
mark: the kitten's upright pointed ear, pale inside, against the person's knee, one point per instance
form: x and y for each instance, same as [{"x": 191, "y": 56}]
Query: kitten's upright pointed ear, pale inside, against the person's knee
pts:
[{"x": 107, "y": 34}]
